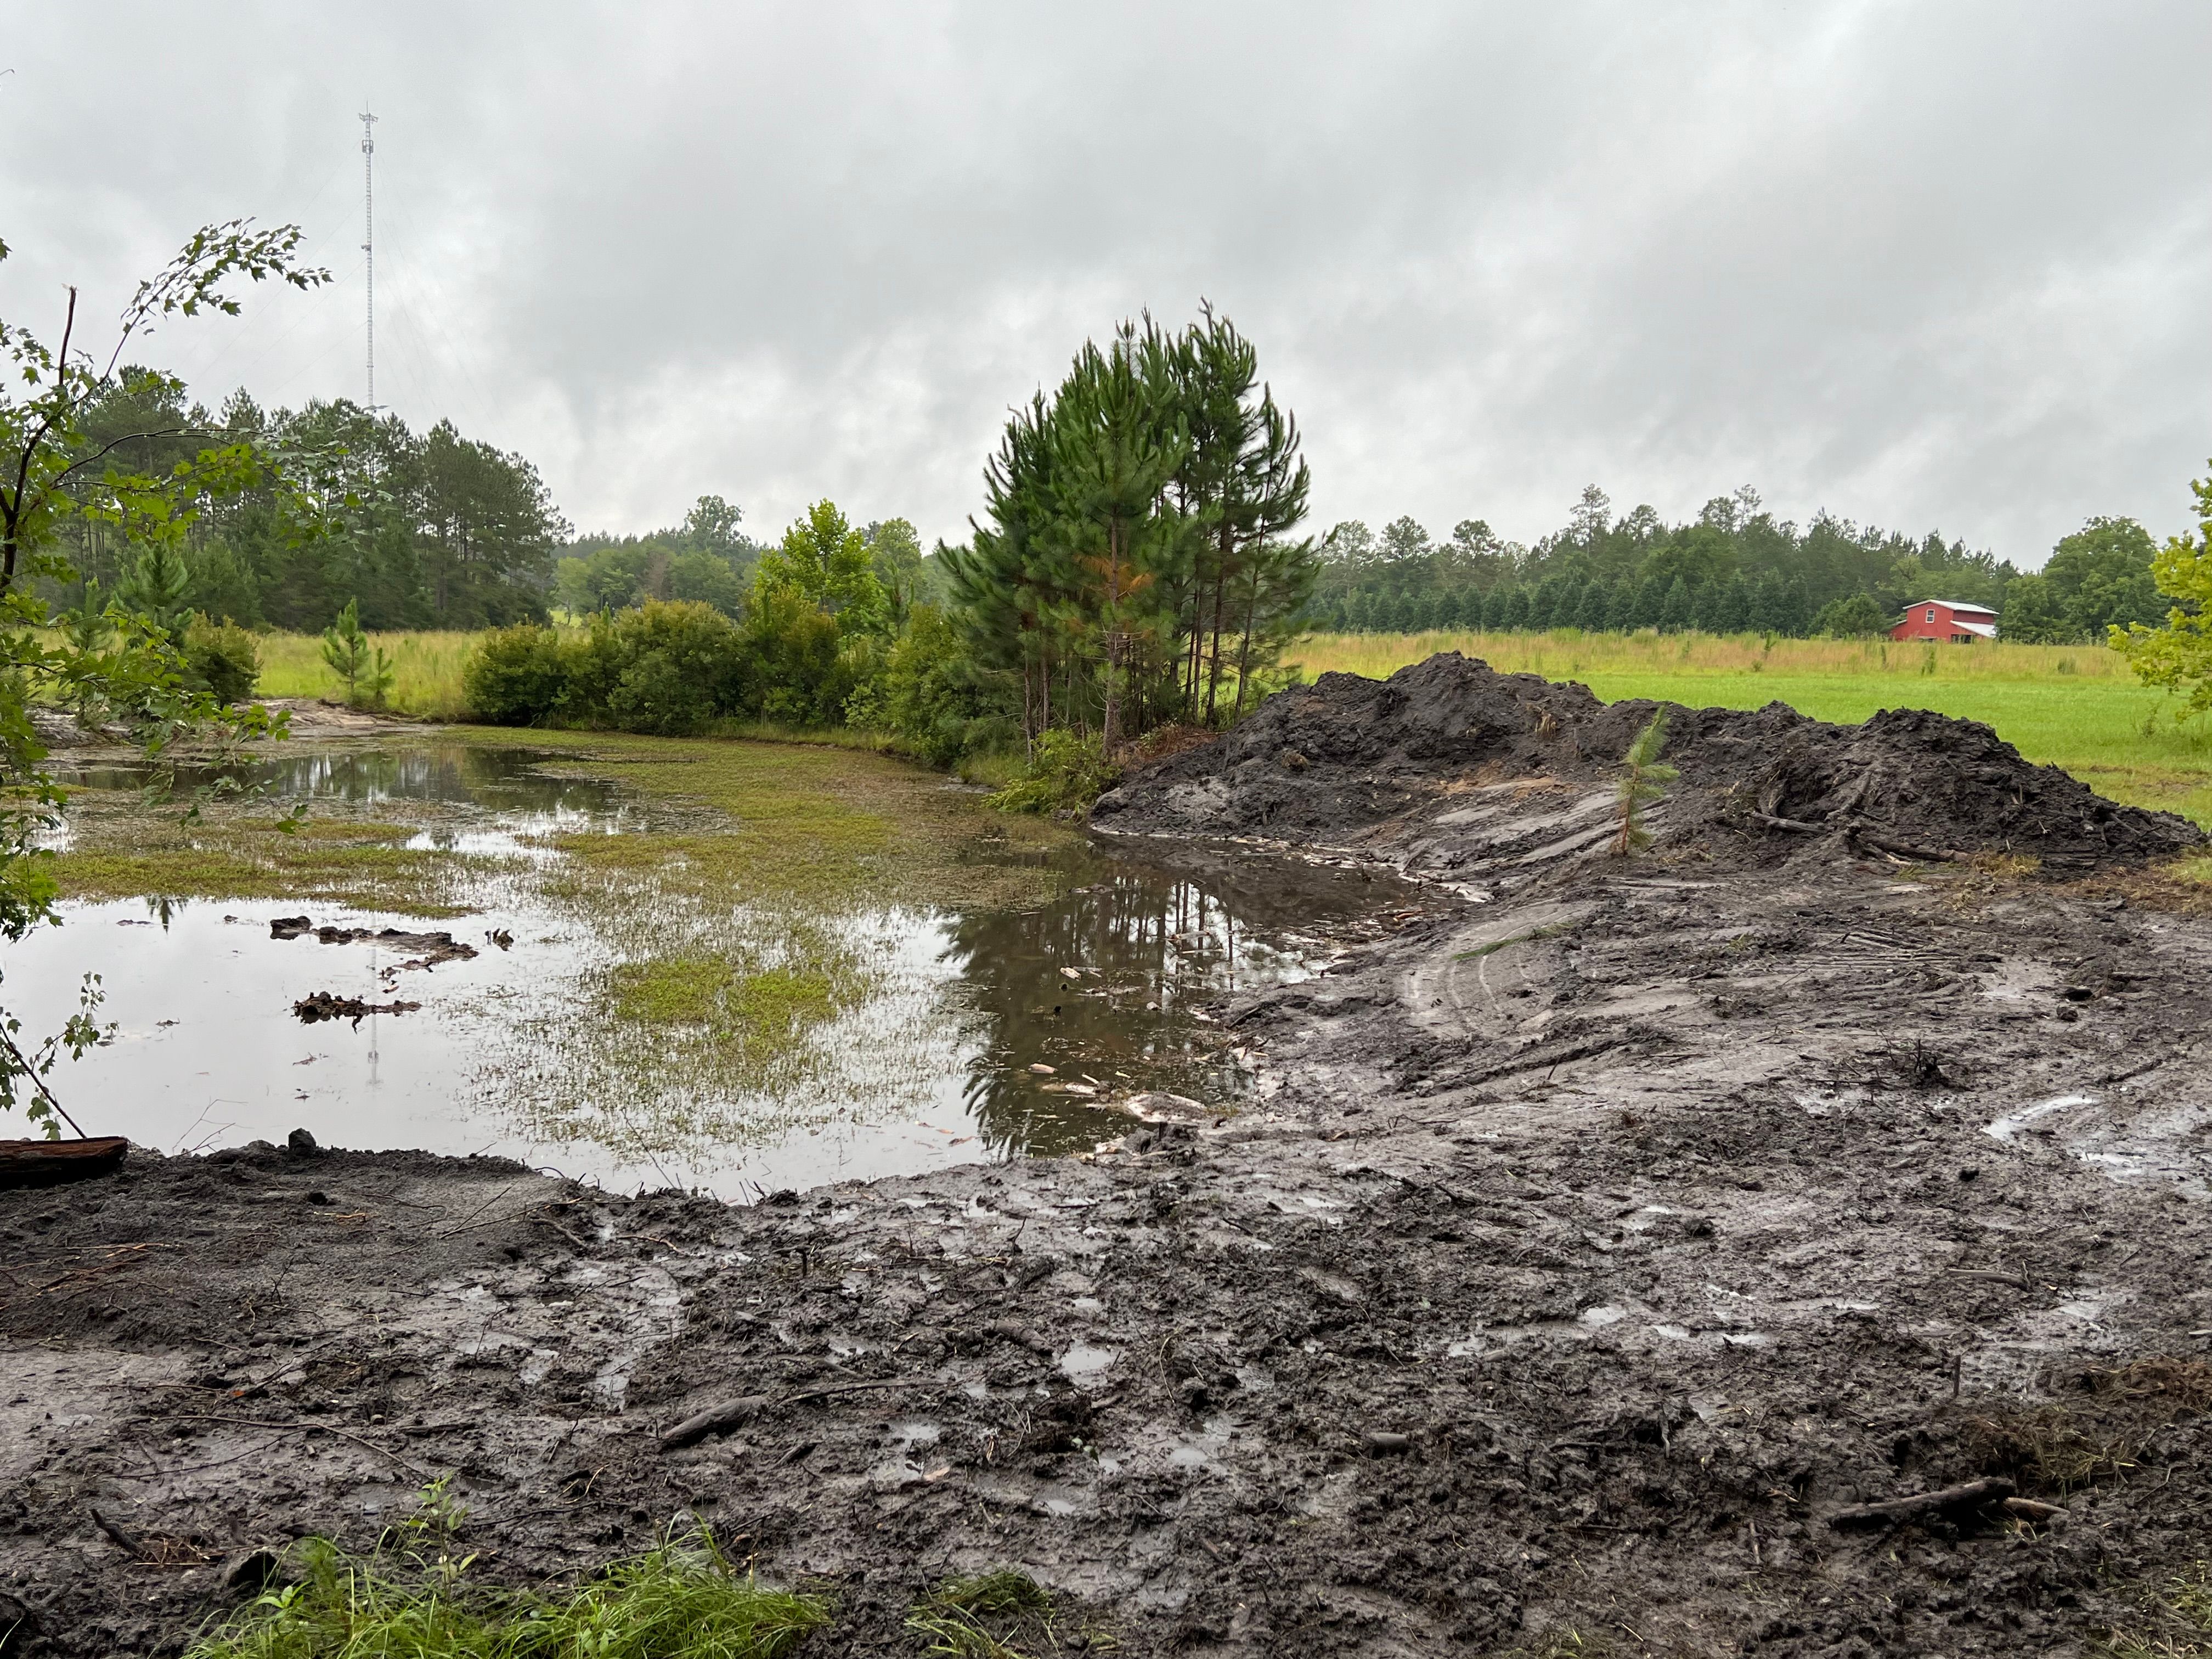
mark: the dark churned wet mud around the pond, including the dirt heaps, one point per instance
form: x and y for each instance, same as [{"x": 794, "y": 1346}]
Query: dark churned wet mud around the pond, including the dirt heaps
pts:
[{"x": 1605, "y": 1235}]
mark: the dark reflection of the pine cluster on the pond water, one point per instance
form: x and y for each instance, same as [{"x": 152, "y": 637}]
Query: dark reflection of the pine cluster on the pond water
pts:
[{"x": 1156, "y": 943}]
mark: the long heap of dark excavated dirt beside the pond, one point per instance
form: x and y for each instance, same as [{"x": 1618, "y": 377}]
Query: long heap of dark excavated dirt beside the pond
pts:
[{"x": 1452, "y": 764}]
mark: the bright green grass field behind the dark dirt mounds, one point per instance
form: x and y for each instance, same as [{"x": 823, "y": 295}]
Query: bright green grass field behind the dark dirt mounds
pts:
[{"x": 2076, "y": 707}]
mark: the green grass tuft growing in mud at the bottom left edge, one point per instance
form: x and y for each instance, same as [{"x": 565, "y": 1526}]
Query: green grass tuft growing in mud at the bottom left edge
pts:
[{"x": 413, "y": 1596}]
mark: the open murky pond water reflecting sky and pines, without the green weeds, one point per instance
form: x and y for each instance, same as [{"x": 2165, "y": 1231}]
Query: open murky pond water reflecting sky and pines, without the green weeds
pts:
[{"x": 985, "y": 1032}]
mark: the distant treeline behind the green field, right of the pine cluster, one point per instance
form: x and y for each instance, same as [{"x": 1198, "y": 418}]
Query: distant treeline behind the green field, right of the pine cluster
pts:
[{"x": 1733, "y": 570}]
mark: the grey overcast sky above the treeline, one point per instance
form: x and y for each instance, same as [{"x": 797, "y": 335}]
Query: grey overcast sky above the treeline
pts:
[{"x": 1926, "y": 264}]
